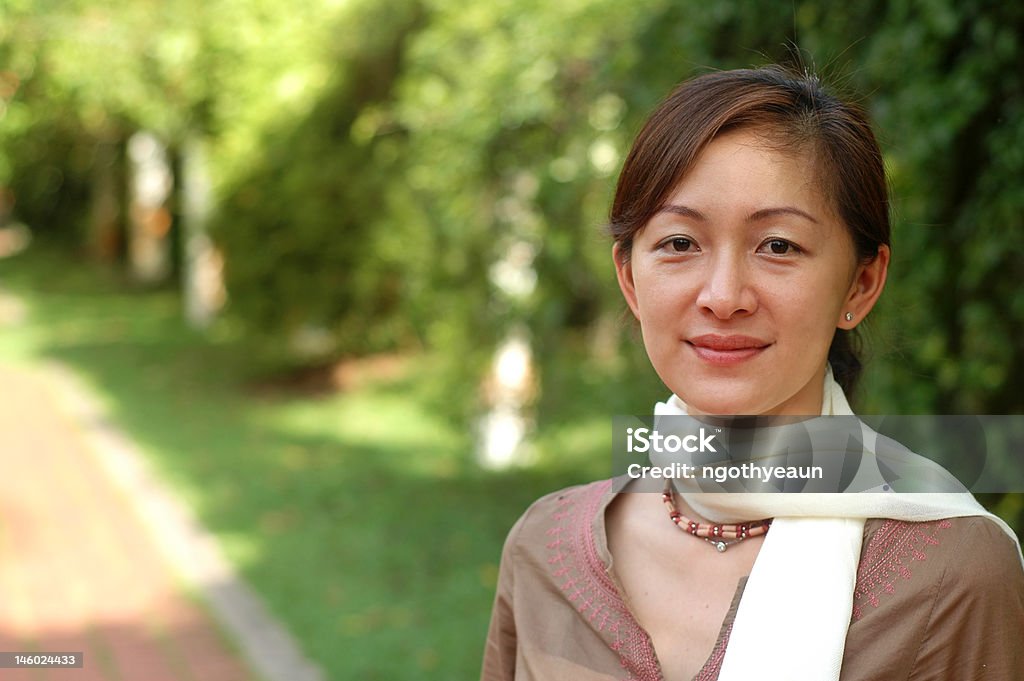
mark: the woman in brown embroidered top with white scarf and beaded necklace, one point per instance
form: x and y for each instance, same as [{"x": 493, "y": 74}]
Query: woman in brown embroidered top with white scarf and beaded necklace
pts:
[{"x": 751, "y": 238}]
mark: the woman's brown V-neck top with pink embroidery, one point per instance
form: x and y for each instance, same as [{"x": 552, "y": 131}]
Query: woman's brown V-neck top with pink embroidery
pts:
[{"x": 941, "y": 601}]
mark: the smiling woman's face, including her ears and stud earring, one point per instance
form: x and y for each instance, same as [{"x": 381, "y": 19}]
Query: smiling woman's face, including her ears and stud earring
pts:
[{"x": 741, "y": 280}]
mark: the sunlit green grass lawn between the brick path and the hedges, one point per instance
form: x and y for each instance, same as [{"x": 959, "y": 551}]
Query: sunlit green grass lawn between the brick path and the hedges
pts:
[{"x": 357, "y": 515}]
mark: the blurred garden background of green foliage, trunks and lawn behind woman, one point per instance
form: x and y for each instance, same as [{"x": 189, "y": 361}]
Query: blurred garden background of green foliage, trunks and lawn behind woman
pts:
[{"x": 339, "y": 266}]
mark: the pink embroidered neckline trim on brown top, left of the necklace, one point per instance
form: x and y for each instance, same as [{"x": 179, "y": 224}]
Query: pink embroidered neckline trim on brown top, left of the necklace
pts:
[{"x": 588, "y": 585}]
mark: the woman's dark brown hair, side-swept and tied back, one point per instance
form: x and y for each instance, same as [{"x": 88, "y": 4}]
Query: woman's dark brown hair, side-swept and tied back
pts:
[{"x": 795, "y": 113}]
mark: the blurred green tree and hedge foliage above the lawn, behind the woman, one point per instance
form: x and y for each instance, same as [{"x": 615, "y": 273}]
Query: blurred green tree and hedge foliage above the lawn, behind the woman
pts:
[{"x": 374, "y": 164}]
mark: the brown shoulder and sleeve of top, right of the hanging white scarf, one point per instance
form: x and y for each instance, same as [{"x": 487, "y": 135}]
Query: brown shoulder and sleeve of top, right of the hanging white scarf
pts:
[{"x": 941, "y": 600}]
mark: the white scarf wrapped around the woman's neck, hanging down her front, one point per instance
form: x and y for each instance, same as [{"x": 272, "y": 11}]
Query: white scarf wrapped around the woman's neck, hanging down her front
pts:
[{"x": 798, "y": 600}]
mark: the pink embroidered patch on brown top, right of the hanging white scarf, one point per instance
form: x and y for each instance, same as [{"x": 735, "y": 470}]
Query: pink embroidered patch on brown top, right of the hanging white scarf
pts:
[{"x": 888, "y": 559}]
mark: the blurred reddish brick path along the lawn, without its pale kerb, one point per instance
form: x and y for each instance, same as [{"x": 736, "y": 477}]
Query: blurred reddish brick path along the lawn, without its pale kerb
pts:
[{"x": 78, "y": 571}]
